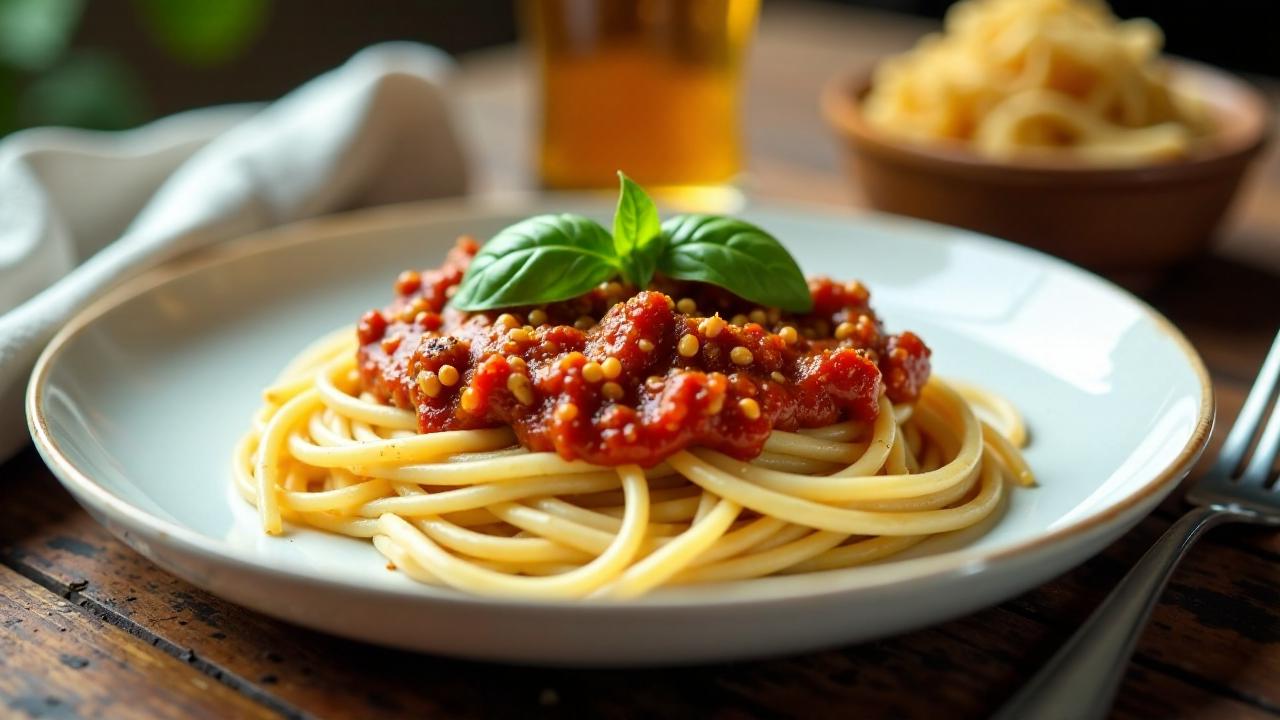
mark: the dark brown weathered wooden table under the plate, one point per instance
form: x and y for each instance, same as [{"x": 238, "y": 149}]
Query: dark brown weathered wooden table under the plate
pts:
[{"x": 90, "y": 628}]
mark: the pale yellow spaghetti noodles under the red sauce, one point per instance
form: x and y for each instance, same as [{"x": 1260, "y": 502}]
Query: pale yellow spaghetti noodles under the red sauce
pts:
[{"x": 476, "y": 512}]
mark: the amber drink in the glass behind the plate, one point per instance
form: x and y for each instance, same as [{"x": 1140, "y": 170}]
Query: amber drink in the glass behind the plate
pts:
[{"x": 650, "y": 88}]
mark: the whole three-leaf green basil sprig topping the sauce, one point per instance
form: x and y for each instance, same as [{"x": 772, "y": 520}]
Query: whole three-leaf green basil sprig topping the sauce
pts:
[{"x": 554, "y": 258}]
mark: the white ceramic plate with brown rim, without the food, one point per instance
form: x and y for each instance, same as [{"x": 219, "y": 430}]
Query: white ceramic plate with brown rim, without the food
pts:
[{"x": 138, "y": 404}]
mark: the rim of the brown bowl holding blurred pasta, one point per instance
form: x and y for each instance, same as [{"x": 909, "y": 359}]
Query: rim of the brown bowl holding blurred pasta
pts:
[{"x": 842, "y": 106}]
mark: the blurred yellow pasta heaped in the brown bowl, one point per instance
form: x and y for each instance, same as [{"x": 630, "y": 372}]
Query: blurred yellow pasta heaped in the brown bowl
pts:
[{"x": 1013, "y": 78}]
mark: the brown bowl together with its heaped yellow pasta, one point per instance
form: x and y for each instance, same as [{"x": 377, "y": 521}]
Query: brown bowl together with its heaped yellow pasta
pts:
[{"x": 1055, "y": 125}]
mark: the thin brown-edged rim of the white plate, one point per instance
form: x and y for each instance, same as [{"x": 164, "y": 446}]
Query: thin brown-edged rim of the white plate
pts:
[{"x": 387, "y": 217}]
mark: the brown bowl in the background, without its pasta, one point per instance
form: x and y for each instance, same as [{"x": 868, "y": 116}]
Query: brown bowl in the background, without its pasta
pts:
[{"x": 1122, "y": 220}]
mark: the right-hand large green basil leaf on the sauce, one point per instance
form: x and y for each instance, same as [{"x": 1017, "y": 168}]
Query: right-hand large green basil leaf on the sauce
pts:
[{"x": 735, "y": 256}]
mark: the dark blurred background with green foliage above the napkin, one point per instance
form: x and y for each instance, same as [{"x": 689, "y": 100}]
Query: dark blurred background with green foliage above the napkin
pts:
[{"x": 113, "y": 65}]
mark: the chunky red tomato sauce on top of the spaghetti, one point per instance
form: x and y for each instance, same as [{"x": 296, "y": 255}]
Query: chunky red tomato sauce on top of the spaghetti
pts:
[{"x": 623, "y": 376}]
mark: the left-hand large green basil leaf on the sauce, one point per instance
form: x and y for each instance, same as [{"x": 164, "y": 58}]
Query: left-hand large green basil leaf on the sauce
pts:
[{"x": 543, "y": 259}]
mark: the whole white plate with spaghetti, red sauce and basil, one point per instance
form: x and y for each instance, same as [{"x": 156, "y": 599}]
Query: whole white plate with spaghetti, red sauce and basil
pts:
[{"x": 519, "y": 434}]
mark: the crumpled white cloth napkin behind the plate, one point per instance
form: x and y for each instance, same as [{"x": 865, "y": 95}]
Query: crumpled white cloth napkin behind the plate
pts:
[{"x": 81, "y": 212}]
